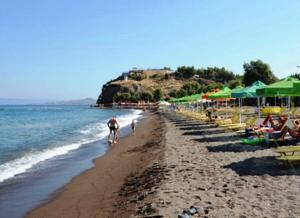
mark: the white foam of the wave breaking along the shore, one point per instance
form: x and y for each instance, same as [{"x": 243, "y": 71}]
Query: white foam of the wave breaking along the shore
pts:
[{"x": 23, "y": 164}]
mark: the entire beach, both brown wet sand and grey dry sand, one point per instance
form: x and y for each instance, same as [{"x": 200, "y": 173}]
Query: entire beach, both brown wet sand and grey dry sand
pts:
[{"x": 173, "y": 163}]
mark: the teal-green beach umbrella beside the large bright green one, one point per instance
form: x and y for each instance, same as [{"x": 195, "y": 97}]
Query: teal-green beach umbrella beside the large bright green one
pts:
[{"x": 249, "y": 91}]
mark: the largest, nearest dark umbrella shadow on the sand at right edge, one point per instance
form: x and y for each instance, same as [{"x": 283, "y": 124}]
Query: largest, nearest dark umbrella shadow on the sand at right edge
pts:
[{"x": 258, "y": 166}]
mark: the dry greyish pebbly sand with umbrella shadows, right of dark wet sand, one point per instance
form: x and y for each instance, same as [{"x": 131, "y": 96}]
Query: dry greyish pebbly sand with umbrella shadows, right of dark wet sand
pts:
[{"x": 212, "y": 171}]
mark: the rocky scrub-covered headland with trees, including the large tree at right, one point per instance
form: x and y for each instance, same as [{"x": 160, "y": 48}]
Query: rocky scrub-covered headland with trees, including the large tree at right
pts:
[{"x": 163, "y": 84}]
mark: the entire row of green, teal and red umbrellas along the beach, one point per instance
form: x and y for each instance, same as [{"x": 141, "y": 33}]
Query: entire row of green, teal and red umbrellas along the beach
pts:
[{"x": 283, "y": 88}]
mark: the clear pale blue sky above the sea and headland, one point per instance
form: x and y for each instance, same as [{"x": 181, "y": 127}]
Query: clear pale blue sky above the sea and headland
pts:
[{"x": 66, "y": 49}]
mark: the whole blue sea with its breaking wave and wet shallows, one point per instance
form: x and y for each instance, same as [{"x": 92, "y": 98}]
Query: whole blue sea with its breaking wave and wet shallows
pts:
[{"x": 43, "y": 147}]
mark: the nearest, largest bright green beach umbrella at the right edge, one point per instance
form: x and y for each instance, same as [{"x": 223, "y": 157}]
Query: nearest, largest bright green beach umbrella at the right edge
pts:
[{"x": 289, "y": 86}]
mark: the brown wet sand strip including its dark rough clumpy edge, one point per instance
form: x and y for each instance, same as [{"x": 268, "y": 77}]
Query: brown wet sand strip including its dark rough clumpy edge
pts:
[{"x": 120, "y": 182}]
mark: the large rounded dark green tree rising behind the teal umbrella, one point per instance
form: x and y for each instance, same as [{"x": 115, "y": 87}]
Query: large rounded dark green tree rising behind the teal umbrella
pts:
[{"x": 258, "y": 70}]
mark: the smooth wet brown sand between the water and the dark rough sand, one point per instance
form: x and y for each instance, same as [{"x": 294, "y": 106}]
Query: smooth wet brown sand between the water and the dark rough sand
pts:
[{"x": 101, "y": 184}]
